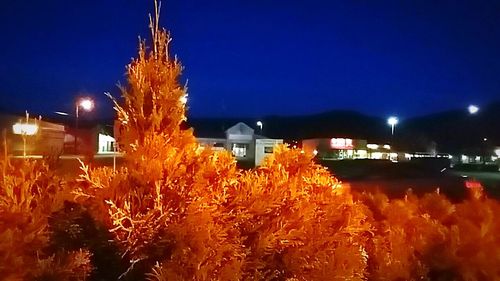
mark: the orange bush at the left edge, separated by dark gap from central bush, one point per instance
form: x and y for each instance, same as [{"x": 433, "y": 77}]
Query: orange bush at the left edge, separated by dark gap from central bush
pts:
[{"x": 29, "y": 194}]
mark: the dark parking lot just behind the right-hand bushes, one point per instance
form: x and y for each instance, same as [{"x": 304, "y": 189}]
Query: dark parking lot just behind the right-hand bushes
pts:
[{"x": 395, "y": 179}]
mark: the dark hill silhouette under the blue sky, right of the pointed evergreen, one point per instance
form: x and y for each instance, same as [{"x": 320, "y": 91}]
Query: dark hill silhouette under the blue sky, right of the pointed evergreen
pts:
[{"x": 454, "y": 131}]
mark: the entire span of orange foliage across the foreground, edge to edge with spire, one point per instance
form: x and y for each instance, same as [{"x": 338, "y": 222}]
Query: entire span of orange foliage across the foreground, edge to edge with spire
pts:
[{"x": 179, "y": 211}]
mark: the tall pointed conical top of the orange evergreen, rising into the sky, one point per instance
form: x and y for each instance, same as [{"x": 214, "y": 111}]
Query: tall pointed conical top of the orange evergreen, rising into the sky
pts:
[{"x": 154, "y": 100}]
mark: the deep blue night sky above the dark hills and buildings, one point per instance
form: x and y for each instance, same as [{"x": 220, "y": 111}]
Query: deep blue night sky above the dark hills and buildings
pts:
[{"x": 260, "y": 57}]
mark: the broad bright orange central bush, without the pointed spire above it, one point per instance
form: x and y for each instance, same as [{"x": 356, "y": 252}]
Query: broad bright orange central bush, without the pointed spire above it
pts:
[{"x": 197, "y": 215}]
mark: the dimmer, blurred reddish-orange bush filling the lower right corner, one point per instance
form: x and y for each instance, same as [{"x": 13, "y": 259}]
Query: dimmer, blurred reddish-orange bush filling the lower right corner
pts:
[{"x": 429, "y": 238}]
